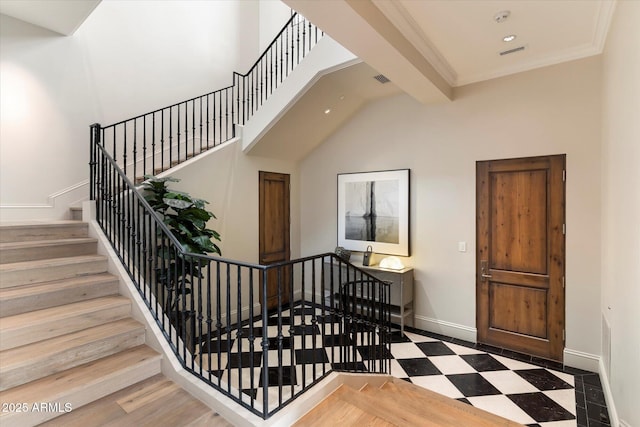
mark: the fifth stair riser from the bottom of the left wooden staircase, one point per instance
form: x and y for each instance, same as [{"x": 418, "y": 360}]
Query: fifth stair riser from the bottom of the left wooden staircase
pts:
[{"x": 43, "y": 274}]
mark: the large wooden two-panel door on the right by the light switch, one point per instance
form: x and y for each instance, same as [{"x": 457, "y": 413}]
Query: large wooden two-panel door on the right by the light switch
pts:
[{"x": 521, "y": 254}]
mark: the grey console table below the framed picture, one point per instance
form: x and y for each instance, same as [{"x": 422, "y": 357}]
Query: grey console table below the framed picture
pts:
[{"x": 401, "y": 292}]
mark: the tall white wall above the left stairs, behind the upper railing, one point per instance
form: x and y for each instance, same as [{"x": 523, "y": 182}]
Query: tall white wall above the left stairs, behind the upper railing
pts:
[{"x": 126, "y": 59}]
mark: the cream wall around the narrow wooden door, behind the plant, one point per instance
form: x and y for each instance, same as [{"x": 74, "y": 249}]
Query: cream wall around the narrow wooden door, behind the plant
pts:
[{"x": 228, "y": 179}]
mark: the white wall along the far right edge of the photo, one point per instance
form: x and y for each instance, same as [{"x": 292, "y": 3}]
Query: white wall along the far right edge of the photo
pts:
[{"x": 621, "y": 208}]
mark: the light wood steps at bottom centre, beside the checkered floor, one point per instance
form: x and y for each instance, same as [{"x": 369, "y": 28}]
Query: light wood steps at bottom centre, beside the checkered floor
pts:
[{"x": 397, "y": 403}]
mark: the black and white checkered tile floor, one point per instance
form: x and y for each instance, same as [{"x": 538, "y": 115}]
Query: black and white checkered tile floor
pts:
[{"x": 523, "y": 392}]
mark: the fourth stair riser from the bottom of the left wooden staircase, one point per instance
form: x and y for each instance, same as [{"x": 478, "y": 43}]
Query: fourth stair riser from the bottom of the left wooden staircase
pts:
[{"x": 55, "y": 298}]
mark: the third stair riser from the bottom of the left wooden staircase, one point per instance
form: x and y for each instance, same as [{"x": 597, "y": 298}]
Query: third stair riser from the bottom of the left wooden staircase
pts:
[{"x": 15, "y": 337}]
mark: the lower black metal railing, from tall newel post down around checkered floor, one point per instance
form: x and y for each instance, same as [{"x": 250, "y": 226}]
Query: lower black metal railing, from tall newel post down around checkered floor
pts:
[{"x": 330, "y": 316}]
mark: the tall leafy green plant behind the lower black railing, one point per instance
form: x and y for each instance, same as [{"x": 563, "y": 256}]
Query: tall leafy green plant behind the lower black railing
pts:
[{"x": 186, "y": 217}]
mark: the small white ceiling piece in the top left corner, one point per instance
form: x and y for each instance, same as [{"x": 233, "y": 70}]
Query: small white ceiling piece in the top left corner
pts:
[{"x": 61, "y": 16}]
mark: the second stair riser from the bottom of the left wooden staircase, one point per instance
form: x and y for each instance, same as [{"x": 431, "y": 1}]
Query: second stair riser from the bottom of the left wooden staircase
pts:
[{"x": 76, "y": 356}]
